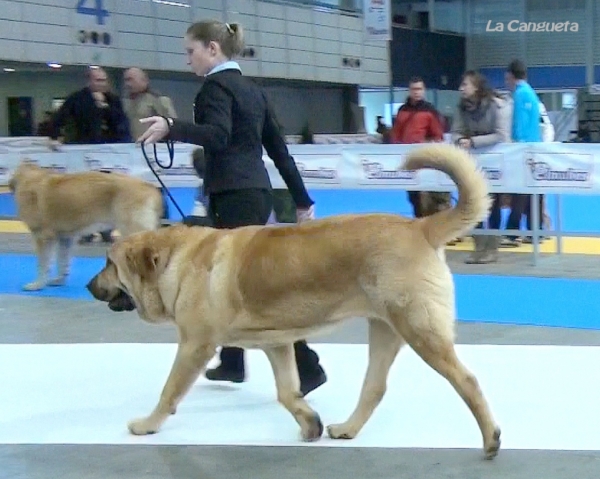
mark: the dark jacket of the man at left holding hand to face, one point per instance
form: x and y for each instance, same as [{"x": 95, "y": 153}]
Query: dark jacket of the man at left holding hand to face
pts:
[{"x": 81, "y": 109}]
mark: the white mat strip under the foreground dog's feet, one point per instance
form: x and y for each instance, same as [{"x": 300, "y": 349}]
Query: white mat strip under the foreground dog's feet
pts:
[{"x": 543, "y": 397}]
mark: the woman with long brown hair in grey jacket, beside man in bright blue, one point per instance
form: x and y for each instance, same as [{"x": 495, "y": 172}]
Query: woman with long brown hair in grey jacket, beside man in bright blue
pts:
[{"x": 482, "y": 119}]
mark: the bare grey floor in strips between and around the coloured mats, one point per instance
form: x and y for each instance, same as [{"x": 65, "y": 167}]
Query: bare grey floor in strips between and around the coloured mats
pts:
[{"x": 49, "y": 320}]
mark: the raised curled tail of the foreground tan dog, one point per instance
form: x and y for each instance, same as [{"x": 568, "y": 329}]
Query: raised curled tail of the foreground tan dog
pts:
[{"x": 473, "y": 200}]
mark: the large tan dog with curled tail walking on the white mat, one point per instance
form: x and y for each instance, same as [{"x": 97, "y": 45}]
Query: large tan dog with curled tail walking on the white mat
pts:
[{"x": 265, "y": 287}]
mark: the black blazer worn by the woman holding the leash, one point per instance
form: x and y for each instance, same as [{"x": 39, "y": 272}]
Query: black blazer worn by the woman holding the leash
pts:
[{"x": 233, "y": 121}]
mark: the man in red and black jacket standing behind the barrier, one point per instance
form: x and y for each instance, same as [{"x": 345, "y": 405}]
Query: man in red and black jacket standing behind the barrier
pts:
[{"x": 417, "y": 121}]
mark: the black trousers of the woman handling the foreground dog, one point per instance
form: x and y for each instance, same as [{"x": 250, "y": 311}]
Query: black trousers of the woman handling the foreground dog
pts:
[{"x": 233, "y": 209}]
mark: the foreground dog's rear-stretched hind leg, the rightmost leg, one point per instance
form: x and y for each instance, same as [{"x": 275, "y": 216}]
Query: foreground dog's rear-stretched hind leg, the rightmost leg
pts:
[{"x": 428, "y": 329}]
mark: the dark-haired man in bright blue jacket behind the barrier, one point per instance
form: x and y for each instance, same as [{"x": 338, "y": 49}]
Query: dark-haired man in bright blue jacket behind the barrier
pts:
[{"x": 525, "y": 128}]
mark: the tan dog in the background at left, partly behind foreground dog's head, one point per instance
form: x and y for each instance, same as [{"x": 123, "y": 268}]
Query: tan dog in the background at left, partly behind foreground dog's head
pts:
[{"x": 58, "y": 208}]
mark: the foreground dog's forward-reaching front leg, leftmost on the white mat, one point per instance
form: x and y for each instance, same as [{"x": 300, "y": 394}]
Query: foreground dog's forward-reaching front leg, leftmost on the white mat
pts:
[{"x": 189, "y": 362}]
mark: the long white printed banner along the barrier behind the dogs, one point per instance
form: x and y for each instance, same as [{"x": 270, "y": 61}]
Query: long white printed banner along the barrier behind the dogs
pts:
[{"x": 564, "y": 168}]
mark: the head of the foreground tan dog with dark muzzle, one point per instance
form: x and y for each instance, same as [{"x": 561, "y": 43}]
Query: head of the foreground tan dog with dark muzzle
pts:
[{"x": 130, "y": 277}]
